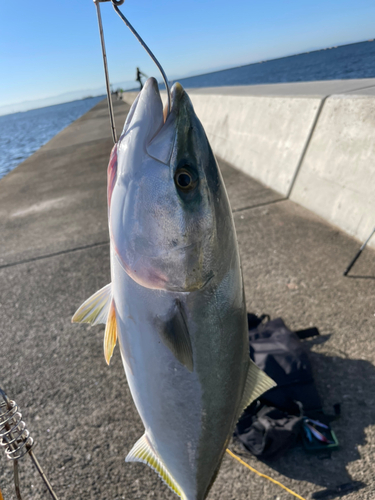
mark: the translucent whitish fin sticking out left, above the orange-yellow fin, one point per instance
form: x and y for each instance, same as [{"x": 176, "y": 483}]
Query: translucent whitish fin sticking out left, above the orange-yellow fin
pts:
[{"x": 95, "y": 309}]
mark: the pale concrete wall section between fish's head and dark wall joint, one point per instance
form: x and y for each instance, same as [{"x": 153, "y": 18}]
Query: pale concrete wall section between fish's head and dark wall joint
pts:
[{"x": 263, "y": 136}]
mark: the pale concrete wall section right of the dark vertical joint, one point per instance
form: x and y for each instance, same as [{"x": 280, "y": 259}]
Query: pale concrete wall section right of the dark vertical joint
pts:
[{"x": 337, "y": 177}]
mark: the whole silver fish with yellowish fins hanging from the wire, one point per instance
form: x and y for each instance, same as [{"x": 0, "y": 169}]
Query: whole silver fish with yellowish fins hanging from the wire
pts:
[{"x": 176, "y": 301}]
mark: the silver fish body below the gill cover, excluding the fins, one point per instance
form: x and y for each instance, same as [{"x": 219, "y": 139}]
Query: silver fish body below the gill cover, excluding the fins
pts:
[{"x": 188, "y": 414}]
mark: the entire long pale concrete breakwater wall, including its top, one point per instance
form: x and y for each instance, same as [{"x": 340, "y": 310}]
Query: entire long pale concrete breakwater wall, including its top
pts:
[{"x": 313, "y": 142}]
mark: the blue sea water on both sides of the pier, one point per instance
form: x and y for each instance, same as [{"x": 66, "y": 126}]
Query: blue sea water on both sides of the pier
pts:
[{"x": 23, "y": 133}]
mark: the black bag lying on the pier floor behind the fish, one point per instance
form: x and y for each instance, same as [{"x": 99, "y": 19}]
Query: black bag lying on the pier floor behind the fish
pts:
[{"x": 271, "y": 424}]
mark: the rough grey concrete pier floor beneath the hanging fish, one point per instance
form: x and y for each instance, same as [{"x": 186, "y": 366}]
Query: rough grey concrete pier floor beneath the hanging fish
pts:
[{"x": 55, "y": 254}]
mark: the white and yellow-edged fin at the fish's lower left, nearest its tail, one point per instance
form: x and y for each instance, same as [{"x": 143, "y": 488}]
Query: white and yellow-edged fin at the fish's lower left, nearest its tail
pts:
[{"x": 144, "y": 452}]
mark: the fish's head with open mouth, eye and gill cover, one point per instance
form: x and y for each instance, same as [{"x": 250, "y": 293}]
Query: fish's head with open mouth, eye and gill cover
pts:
[{"x": 166, "y": 196}]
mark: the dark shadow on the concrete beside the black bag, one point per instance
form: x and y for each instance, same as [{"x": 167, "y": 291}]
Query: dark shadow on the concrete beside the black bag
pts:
[{"x": 348, "y": 382}]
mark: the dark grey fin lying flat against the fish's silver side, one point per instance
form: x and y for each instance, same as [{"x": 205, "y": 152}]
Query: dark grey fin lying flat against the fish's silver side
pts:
[{"x": 175, "y": 335}]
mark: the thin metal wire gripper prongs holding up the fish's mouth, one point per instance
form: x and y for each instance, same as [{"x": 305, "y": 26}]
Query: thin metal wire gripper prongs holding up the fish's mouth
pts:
[{"x": 115, "y": 4}]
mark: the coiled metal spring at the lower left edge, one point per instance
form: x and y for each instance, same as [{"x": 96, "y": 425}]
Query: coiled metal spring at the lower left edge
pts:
[{"x": 14, "y": 436}]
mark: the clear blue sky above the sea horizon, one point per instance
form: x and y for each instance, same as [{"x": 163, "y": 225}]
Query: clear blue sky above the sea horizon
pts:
[{"x": 50, "y": 48}]
